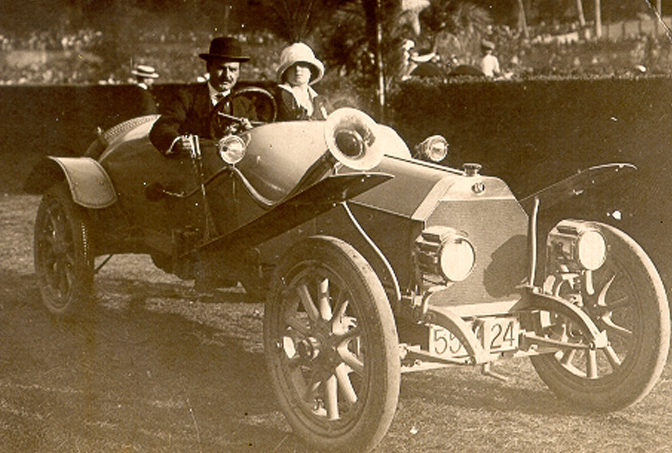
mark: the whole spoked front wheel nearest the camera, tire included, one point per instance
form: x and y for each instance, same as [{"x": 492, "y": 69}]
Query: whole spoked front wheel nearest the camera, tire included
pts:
[{"x": 331, "y": 346}]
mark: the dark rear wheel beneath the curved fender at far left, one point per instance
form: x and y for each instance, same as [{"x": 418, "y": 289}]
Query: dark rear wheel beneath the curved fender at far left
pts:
[{"x": 77, "y": 294}]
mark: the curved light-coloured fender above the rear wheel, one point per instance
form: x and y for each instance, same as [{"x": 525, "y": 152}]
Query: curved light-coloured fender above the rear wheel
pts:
[{"x": 89, "y": 184}]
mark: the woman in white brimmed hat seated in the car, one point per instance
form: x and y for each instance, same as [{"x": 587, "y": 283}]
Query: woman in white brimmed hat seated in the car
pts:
[{"x": 298, "y": 70}]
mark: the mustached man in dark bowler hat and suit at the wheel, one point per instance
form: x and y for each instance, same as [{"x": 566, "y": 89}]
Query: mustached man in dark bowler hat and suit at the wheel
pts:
[{"x": 189, "y": 112}]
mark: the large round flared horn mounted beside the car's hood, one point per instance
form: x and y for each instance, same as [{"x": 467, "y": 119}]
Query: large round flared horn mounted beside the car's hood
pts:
[{"x": 350, "y": 138}]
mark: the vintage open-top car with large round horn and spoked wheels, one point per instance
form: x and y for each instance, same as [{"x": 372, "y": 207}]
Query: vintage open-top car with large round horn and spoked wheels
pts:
[{"x": 371, "y": 262}]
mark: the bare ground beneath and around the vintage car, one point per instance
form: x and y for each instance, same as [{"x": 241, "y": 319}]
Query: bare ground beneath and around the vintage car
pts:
[{"x": 156, "y": 370}]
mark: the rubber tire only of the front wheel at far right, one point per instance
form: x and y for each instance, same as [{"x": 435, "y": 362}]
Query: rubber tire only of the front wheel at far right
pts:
[{"x": 644, "y": 363}]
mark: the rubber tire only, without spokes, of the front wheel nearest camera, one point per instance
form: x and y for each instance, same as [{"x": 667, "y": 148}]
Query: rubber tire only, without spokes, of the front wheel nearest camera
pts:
[{"x": 374, "y": 416}]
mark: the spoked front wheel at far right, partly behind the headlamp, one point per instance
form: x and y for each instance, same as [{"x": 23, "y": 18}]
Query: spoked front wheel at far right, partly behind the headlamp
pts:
[{"x": 631, "y": 306}]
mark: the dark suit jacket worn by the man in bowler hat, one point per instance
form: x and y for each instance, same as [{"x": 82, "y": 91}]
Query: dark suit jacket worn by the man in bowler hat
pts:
[{"x": 189, "y": 113}]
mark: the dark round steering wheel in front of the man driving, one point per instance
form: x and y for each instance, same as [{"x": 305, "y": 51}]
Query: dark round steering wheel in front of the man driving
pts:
[{"x": 223, "y": 124}]
